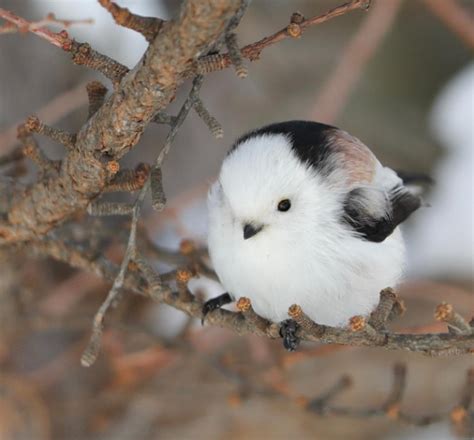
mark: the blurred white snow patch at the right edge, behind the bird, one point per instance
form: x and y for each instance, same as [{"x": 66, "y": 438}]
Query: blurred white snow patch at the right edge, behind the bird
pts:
[{"x": 441, "y": 242}]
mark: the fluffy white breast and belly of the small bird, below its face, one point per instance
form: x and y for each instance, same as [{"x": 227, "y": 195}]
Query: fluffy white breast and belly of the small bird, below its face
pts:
[{"x": 330, "y": 273}]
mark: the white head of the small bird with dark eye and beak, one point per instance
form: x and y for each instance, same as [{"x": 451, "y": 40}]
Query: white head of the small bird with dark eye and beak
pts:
[{"x": 270, "y": 192}]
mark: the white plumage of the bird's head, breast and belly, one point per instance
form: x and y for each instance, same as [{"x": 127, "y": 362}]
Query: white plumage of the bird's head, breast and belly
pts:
[{"x": 305, "y": 256}]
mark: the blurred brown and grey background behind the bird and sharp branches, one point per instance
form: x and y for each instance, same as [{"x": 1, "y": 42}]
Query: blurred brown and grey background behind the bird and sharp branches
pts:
[{"x": 398, "y": 77}]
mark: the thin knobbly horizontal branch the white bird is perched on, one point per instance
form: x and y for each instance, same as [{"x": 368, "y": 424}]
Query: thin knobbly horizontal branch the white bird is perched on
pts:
[{"x": 247, "y": 322}]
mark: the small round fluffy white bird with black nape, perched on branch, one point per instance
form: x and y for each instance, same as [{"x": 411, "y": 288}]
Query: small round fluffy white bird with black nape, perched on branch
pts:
[{"x": 304, "y": 213}]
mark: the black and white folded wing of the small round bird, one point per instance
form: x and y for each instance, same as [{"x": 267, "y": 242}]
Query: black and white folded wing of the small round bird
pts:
[{"x": 400, "y": 203}]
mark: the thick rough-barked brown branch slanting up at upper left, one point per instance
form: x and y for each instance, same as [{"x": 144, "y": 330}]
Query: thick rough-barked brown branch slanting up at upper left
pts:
[{"x": 118, "y": 125}]
